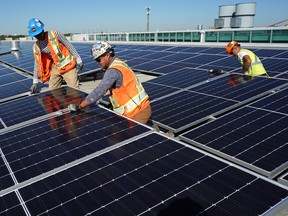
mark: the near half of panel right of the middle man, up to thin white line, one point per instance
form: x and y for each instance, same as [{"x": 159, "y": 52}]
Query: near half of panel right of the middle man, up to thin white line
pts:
[{"x": 184, "y": 109}]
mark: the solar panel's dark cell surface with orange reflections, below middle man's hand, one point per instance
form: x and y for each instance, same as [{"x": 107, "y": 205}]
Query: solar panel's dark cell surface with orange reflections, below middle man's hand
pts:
[{"x": 62, "y": 139}]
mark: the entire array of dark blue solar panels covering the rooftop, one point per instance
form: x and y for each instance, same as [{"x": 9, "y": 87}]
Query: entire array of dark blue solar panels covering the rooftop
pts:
[{"x": 228, "y": 156}]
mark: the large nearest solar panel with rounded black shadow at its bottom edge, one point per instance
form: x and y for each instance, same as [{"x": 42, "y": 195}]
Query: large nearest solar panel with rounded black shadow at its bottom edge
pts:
[{"x": 149, "y": 176}]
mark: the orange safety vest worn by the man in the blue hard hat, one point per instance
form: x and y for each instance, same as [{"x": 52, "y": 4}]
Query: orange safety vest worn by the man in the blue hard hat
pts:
[{"x": 61, "y": 57}]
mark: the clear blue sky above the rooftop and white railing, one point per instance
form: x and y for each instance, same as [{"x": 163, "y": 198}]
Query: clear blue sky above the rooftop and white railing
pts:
[{"x": 94, "y": 16}]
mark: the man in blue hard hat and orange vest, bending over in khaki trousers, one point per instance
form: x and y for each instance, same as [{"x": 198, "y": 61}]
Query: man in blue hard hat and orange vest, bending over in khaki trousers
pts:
[{"x": 55, "y": 57}]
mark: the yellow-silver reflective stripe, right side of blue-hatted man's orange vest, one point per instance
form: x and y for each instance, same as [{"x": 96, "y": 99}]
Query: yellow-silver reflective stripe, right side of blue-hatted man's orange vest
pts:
[{"x": 62, "y": 60}]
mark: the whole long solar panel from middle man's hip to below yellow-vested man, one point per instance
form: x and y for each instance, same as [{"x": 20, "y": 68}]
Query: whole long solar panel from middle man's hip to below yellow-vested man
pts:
[{"x": 203, "y": 102}]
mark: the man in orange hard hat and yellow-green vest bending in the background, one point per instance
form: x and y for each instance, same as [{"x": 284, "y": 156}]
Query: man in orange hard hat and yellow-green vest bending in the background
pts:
[{"x": 251, "y": 64}]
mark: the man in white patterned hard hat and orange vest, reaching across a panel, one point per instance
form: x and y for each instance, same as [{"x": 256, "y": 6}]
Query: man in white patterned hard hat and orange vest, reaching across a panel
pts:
[{"x": 127, "y": 95}]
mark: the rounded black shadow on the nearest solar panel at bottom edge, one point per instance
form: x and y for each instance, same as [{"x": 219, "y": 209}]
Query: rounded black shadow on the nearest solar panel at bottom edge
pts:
[{"x": 182, "y": 207}]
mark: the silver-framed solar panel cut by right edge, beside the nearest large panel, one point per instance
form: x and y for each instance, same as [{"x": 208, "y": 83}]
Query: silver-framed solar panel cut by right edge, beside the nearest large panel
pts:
[{"x": 251, "y": 137}]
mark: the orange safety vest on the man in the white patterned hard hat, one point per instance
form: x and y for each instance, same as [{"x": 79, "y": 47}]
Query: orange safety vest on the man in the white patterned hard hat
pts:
[{"x": 131, "y": 98}]
